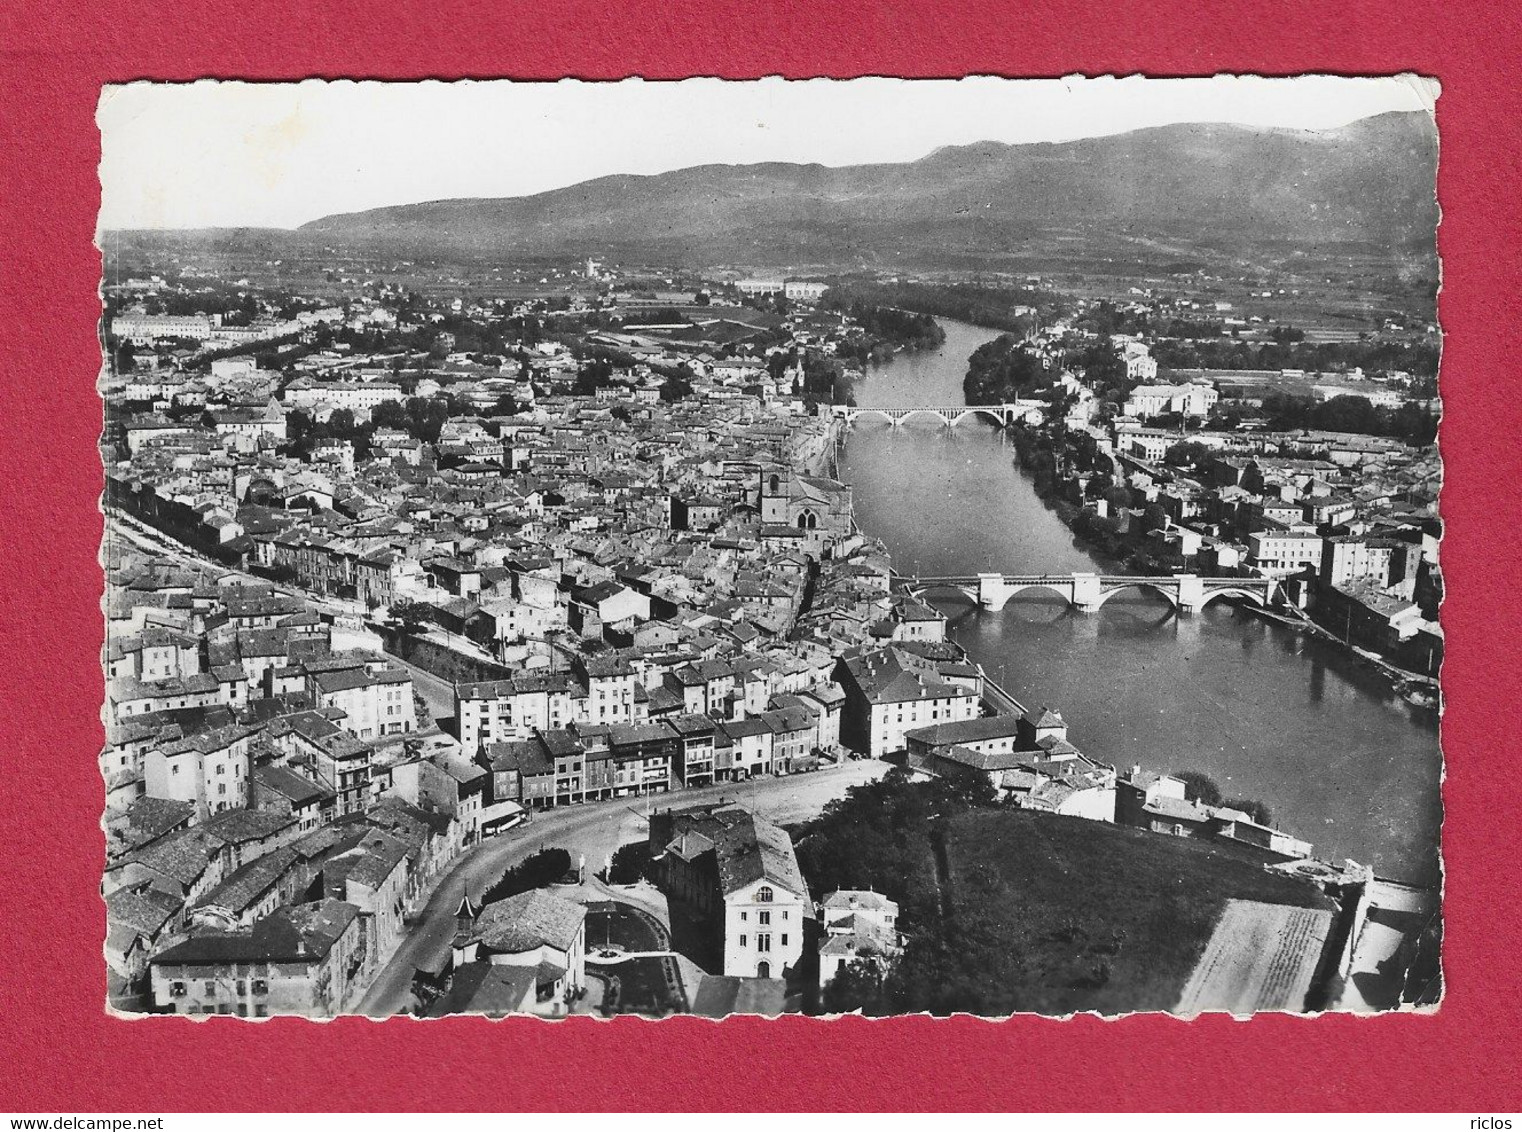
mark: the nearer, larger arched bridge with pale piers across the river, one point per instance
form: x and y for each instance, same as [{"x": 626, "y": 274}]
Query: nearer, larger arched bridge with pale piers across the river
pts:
[{"x": 1089, "y": 593}]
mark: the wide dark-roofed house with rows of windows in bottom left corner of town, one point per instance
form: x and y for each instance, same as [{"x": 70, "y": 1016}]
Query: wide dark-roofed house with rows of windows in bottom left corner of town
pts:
[{"x": 299, "y": 961}]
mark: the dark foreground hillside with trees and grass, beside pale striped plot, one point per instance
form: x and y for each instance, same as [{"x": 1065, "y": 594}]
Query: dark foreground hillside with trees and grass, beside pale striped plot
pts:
[{"x": 1013, "y": 911}]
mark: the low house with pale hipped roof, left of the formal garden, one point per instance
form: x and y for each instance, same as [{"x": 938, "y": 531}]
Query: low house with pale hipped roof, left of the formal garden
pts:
[{"x": 535, "y": 932}]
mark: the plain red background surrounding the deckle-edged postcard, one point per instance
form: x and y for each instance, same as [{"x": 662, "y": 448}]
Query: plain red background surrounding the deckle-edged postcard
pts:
[{"x": 62, "y": 1052}]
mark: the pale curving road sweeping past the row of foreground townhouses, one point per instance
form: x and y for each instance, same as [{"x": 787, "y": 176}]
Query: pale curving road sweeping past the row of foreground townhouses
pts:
[{"x": 593, "y": 832}]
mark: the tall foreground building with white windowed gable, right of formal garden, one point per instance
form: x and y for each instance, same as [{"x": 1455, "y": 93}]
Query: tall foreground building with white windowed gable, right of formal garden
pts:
[{"x": 742, "y": 876}]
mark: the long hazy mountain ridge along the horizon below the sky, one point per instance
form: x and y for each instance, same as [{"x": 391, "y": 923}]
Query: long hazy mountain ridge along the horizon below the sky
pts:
[{"x": 1369, "y": 186}]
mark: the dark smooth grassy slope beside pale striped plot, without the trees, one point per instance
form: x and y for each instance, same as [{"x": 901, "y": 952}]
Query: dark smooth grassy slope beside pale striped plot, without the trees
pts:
[{"x": 1098, "y": 917}]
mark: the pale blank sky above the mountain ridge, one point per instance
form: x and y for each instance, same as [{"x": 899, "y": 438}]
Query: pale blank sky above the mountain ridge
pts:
[{"x": 228, "y": 154}]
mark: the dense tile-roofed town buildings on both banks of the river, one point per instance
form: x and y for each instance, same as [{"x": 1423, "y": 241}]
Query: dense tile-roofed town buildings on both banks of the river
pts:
[{"x": 375, "y": 606}]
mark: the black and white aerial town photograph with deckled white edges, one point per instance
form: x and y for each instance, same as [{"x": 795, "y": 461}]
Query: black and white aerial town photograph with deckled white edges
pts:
[{"x": 887, "y": 547}]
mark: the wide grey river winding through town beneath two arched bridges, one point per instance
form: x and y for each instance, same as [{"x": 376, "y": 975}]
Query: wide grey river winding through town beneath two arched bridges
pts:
[{"x": 1267, "y": 713}]
